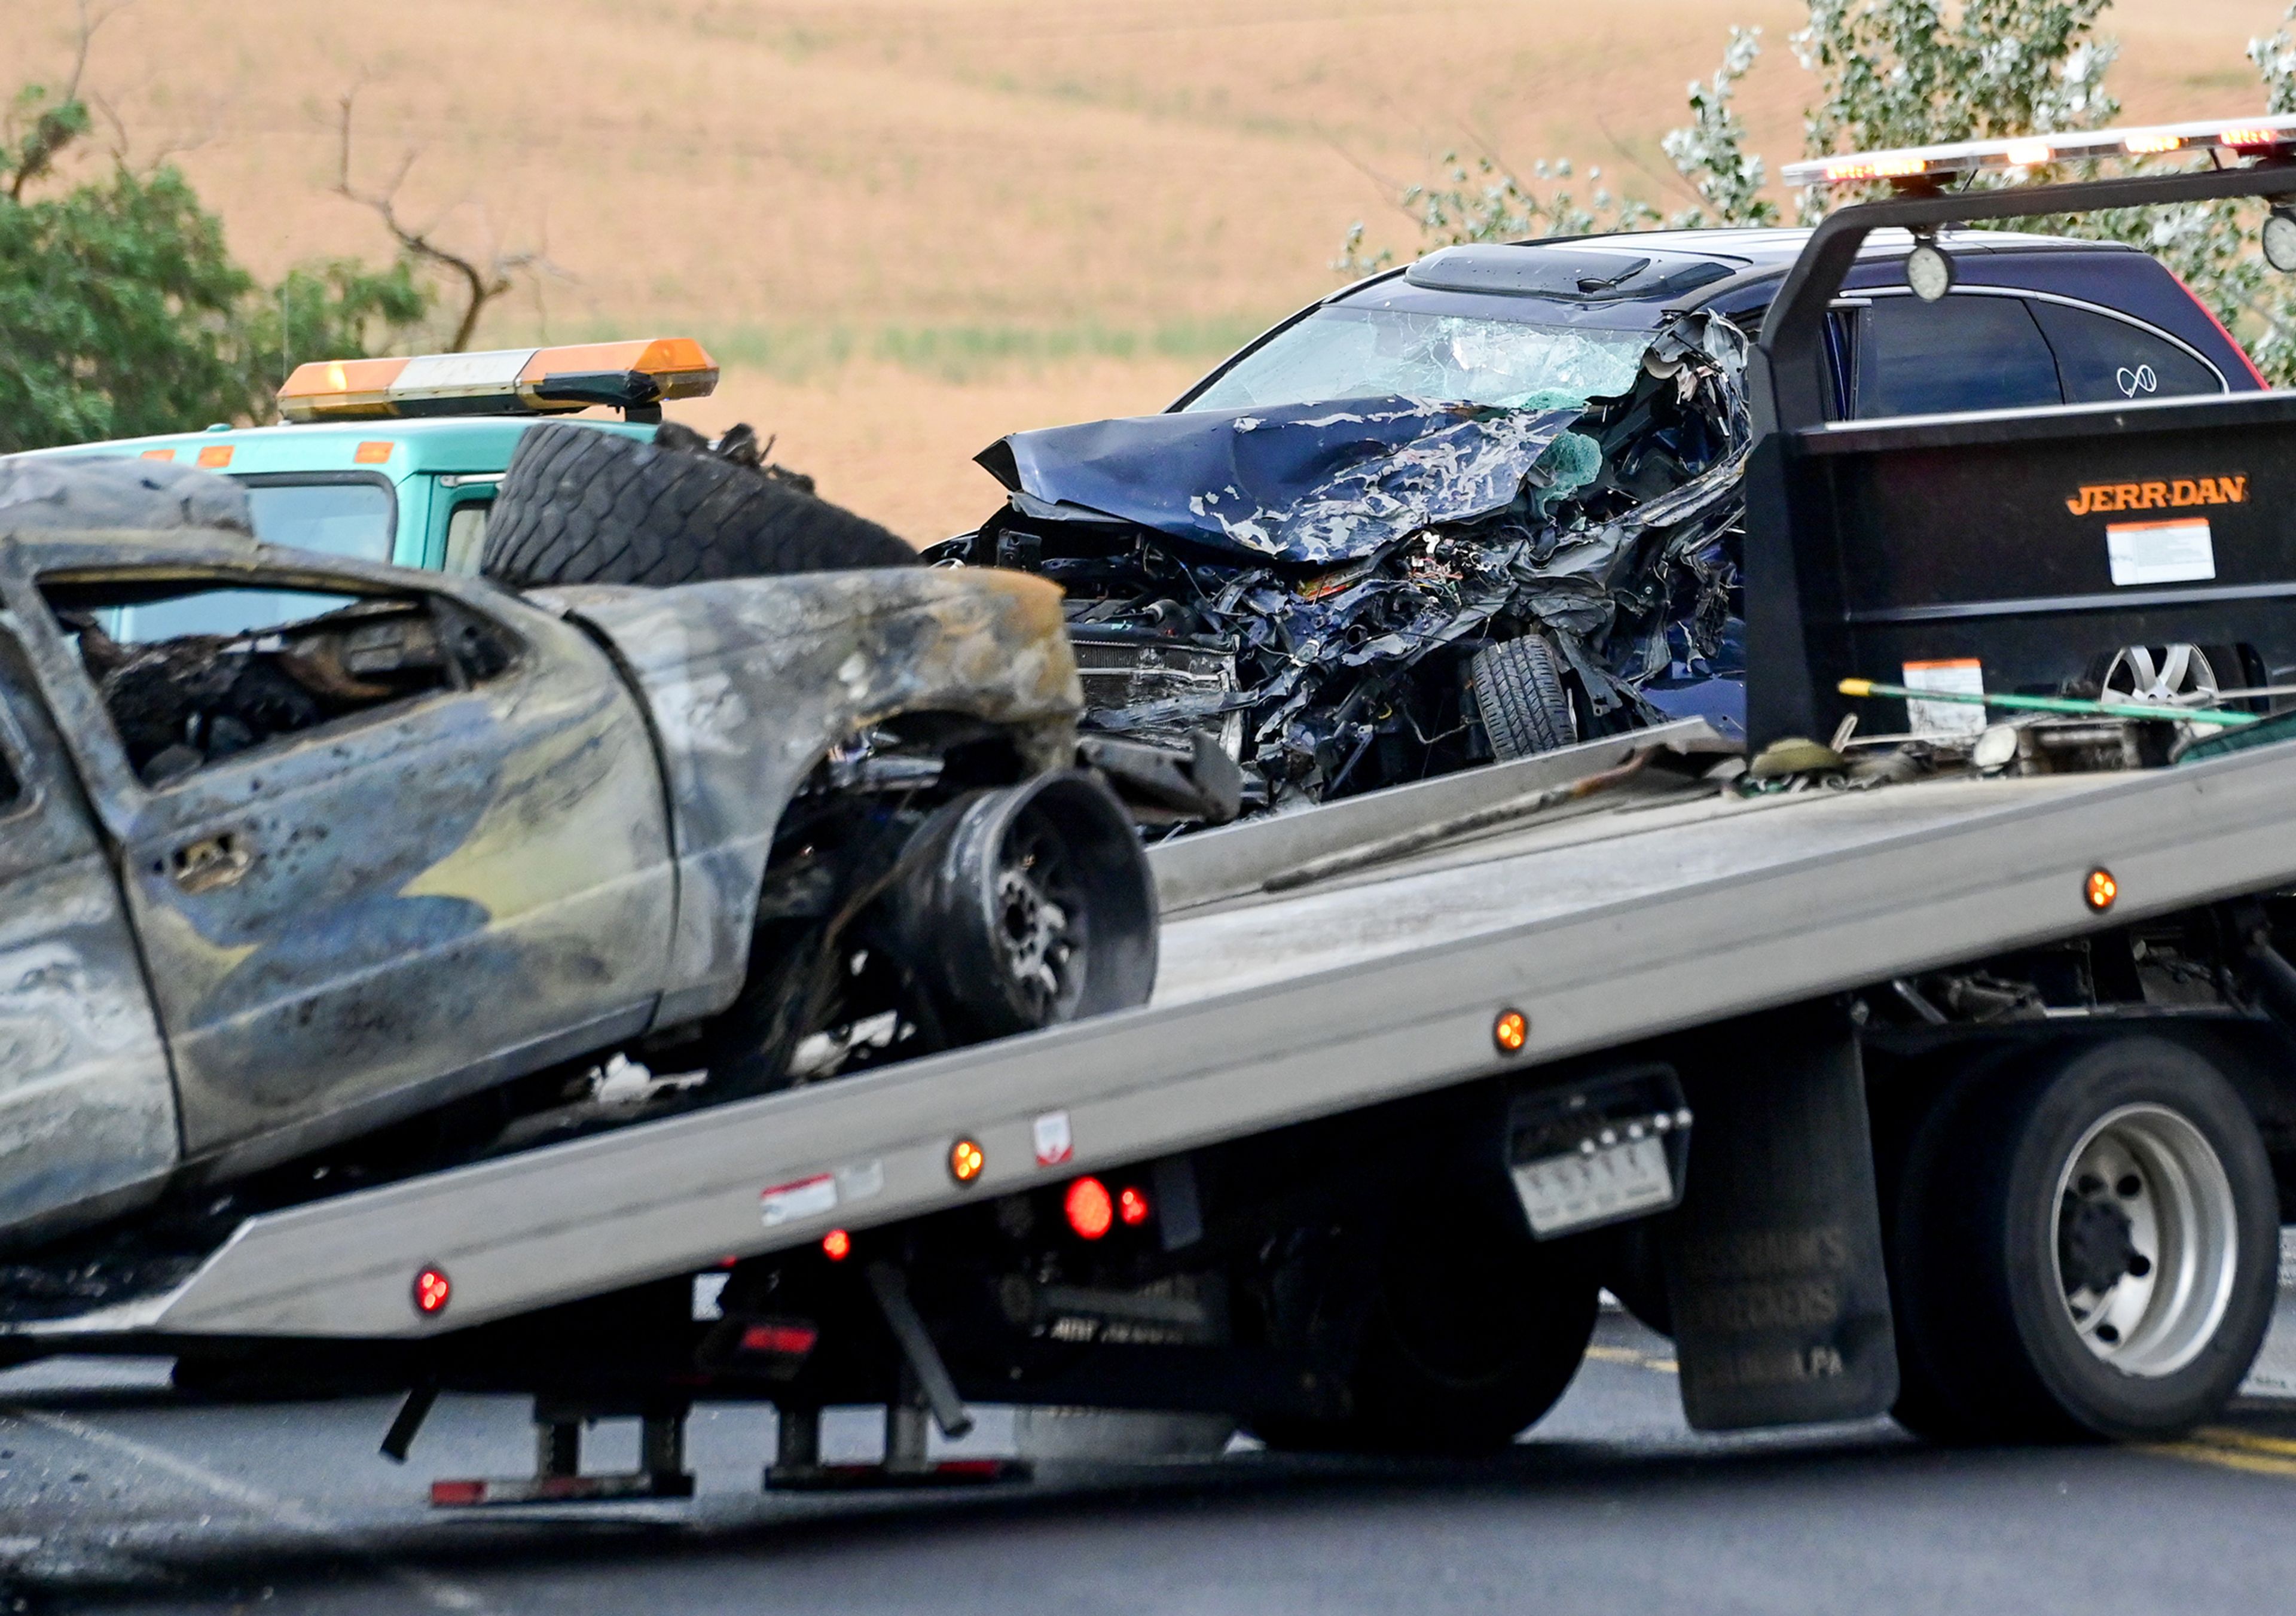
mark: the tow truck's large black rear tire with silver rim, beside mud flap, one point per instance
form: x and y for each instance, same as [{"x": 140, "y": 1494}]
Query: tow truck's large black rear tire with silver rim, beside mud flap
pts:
[{"x": 2084, "y": 1250}]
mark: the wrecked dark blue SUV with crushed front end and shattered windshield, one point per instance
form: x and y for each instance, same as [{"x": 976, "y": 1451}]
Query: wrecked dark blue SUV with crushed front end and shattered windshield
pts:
[{"x": 1491, "y": 504}]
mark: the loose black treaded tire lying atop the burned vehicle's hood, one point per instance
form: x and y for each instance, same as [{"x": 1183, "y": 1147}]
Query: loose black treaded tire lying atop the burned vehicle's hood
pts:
[{"x": 587, "y": 506}]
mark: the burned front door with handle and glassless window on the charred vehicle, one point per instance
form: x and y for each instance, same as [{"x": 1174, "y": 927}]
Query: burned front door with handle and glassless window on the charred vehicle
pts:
[{"x": 380, "y": 844}]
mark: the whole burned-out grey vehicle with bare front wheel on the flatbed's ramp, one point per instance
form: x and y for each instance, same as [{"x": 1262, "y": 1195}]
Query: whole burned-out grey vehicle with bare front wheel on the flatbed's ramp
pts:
[{"x": 307, "y": 862}]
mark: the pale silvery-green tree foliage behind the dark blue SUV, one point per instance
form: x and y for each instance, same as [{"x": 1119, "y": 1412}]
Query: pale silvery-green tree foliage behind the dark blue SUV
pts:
[{"x": 1898, "y": 75}]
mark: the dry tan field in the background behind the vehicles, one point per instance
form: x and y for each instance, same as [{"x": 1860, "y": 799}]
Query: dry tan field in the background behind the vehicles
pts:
[{"x": 910, "y": 226}]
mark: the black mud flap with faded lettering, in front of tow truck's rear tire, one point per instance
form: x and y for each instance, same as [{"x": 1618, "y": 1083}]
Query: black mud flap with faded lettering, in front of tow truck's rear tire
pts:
[{"x": 1774, "y": 1264}]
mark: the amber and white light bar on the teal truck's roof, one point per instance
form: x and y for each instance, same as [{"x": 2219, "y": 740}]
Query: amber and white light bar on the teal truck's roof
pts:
[{"x": 504, "y": 382}]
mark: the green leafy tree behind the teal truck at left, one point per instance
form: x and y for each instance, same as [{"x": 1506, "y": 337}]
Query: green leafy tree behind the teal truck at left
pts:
[{"x": 125, "y": 313}]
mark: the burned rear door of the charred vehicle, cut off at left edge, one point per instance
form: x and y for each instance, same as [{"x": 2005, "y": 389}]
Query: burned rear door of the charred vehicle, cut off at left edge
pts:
[{"x": 86, "y": 1105}]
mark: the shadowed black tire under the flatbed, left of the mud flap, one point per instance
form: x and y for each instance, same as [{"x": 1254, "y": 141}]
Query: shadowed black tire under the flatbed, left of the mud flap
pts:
[{"x": 1473, "y": 1335}]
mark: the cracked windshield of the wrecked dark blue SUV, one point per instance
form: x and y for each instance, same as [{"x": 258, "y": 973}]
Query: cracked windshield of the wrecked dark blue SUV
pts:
[{"x": 1452, "y": 359}]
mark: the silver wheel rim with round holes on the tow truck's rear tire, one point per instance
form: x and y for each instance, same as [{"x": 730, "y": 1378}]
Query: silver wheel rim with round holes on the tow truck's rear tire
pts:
[{"x": 2146, "y": 1241}]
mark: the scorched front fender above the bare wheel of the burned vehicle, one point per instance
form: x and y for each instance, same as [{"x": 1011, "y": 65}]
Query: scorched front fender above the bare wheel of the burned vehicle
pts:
[{"x": 752, "y": 681}]
